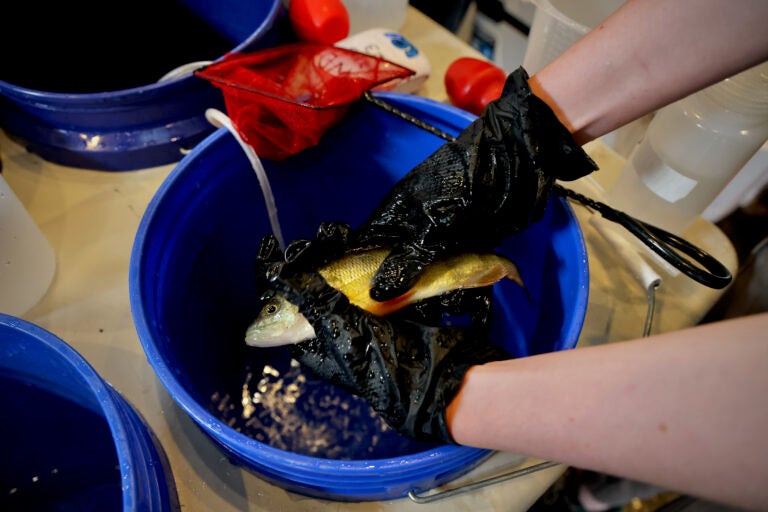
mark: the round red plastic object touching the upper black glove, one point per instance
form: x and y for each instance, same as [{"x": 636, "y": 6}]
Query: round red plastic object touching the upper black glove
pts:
[{"x": 473, "y": 83}]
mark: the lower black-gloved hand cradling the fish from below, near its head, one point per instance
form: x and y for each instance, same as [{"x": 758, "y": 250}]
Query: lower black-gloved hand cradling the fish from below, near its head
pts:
[{"x": 405, "y": 366}]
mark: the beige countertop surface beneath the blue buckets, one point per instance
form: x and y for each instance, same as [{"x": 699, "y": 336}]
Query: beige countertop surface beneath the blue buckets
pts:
[{"x": 90, "y": 218}]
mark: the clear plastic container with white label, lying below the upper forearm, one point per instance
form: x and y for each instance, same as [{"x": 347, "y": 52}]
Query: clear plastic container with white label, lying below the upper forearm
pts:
[{"x": 692, "y": 149}]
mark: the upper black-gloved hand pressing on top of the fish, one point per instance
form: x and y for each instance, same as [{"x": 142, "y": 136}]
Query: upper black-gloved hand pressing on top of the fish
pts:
[{"x": 469, "y": 195}]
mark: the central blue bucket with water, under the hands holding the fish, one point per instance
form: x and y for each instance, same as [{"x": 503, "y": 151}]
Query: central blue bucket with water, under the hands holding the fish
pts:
[{"x": 192, "y": 296}]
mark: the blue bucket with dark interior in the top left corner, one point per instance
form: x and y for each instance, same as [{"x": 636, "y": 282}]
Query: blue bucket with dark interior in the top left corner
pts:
[{"x": 82, "y": 93}]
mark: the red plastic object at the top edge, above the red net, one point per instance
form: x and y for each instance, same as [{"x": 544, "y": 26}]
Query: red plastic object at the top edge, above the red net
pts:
[{"x": 319, "y": 21}]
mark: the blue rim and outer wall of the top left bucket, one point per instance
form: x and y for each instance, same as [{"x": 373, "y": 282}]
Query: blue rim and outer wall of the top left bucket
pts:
[{"x": 41, "y": 121}]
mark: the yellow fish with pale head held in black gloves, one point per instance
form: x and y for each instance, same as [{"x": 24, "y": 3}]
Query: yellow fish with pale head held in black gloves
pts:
[{"x": 279, "y": 322}]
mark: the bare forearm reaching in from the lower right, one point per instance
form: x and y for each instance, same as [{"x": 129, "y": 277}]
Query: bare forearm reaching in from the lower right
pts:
[{"x": 686, "y": 410}]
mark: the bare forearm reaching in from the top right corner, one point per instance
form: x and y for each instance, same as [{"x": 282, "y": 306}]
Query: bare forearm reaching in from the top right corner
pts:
[{"x": 648, "y": 54}]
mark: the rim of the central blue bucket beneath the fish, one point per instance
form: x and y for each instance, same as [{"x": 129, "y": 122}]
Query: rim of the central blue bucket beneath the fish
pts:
[{"x": 276, "y": 457}]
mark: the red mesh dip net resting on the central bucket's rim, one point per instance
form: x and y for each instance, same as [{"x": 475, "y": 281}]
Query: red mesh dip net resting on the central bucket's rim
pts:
[{"x": 283, "y": 99}]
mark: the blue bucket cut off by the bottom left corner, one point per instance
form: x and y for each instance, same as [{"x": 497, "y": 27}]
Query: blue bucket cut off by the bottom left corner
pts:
[{"x": 71, "y": 441}]
